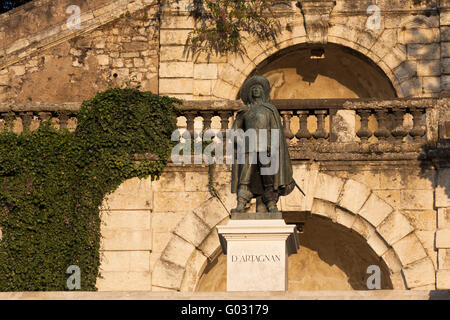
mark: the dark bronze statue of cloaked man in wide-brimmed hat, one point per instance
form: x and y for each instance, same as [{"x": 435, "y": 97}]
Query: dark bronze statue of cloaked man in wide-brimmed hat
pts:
[{"x": 247, "y": 179}]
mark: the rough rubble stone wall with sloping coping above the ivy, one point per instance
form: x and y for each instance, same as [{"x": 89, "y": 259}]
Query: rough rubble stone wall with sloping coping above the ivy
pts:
[{"x": 117, "y": 45}]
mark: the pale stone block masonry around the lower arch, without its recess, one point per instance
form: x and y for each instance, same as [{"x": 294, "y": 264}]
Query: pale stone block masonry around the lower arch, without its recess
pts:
[{"x": 159, "y": 244}]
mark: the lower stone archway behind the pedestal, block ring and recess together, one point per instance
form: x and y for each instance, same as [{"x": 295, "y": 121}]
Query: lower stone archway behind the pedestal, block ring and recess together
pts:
[{"x": 194, "y": 245}]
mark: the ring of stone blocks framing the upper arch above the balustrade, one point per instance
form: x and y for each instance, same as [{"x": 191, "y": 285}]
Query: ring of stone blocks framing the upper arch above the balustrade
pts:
[{"x": 381, "y": 47}]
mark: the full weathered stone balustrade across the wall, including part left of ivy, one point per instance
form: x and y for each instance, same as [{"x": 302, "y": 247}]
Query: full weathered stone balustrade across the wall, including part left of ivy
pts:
[{"x": 329, "y": 126}]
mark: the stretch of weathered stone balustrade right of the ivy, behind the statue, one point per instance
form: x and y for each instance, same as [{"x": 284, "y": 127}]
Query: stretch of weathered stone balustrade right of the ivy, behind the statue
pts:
[{"x": 338, "y": 129}]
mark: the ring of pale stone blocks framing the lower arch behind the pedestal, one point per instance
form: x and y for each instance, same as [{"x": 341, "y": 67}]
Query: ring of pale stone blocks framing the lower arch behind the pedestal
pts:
[{"x": 347, "y": 202}]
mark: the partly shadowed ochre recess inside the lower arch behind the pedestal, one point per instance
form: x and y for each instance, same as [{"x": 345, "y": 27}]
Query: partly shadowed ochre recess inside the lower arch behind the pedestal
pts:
[{"x": 331, "y": 257}]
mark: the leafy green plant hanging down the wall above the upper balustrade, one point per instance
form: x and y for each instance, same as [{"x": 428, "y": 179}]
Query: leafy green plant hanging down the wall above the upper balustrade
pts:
[{"x": 222, "y": 25}]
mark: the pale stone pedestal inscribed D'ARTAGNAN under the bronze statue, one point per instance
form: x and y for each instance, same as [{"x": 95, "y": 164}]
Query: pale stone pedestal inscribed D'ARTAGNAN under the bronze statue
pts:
[{"x": 257, "y": 253}]
